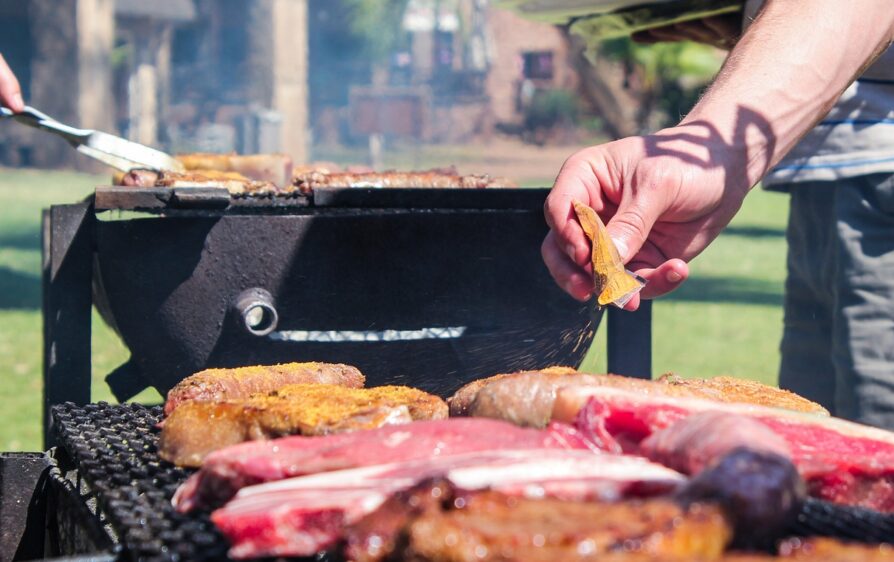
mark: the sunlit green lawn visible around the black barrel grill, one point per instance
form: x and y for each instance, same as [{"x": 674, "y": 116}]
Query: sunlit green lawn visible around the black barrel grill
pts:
[{"x": 726, "y": 319}]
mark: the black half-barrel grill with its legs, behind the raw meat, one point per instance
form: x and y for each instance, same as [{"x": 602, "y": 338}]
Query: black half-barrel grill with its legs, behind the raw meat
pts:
[{"x": 428, "y": 287}]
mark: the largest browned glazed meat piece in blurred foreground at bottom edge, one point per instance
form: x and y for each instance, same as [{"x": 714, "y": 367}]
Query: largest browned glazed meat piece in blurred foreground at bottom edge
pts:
[{"x": 481, "y": 526}]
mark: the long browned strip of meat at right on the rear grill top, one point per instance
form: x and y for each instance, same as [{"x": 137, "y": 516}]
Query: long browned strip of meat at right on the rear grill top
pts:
[{"x": 307, "y": 182}]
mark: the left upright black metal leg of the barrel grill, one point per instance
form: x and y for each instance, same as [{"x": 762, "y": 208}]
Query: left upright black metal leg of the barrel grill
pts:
[{"x": 67, "y": 301}]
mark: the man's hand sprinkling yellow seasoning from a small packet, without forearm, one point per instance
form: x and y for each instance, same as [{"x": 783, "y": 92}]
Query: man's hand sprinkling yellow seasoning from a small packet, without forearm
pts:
[{"x": 664, "y": 198}]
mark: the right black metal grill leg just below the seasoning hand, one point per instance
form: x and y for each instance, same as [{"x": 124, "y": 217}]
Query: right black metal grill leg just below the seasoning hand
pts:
[{"x": 630, "y": 341}]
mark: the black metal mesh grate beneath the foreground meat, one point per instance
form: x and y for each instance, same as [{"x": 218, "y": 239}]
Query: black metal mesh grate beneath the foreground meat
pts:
[{"x": 113, "y": 448}]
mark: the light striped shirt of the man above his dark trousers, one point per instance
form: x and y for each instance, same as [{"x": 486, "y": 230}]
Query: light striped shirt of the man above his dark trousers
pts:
[{"x": 856, "y": 138}]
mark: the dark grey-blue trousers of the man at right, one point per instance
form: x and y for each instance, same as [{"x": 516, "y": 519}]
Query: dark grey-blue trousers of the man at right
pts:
[{"x": 838, "y": 341}]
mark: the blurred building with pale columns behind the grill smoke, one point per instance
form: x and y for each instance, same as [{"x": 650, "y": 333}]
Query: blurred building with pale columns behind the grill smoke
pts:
[{"x": 297, "y": 75}]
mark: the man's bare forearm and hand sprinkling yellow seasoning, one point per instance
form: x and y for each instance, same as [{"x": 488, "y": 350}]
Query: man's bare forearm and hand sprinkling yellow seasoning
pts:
[{"x": 667, "y": 196}]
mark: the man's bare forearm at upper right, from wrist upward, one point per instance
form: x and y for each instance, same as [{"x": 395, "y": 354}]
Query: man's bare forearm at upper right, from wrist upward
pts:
[{"x": 786, "y": 73}]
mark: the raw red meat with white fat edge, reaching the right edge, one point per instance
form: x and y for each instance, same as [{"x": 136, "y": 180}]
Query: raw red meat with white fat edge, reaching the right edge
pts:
[{"x": 841, "y": 461}]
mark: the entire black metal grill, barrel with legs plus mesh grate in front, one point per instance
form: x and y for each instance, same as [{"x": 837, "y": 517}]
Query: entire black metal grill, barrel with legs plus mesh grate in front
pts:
[{"x": 176, "y": 273}]
